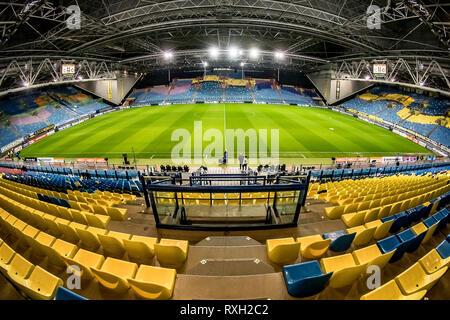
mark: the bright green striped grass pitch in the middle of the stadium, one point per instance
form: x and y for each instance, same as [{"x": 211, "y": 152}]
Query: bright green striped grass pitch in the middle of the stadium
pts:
[{"x": 303, "y": 132}]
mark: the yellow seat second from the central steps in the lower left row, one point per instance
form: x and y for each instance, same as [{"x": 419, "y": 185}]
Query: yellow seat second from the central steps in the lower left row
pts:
[{"x": 113, "y": 274}]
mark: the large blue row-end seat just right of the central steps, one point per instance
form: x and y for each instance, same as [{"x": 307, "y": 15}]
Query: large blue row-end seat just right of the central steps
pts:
[{"x": 305, "y": 279}]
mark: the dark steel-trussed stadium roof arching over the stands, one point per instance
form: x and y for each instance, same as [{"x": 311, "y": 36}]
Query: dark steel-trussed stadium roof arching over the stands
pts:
[{"x": 135, "y": 34}]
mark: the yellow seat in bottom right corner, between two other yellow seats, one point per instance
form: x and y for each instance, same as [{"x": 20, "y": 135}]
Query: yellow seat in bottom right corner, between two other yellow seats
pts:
[{"x": 415, "y": 279}]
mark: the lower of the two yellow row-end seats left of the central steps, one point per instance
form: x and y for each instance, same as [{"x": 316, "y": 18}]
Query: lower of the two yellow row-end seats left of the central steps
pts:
[{"x": 153, "y": 282}]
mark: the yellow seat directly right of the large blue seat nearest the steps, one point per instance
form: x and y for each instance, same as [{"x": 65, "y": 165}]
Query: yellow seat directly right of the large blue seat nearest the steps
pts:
[{"x": 345, "y": 270}]
